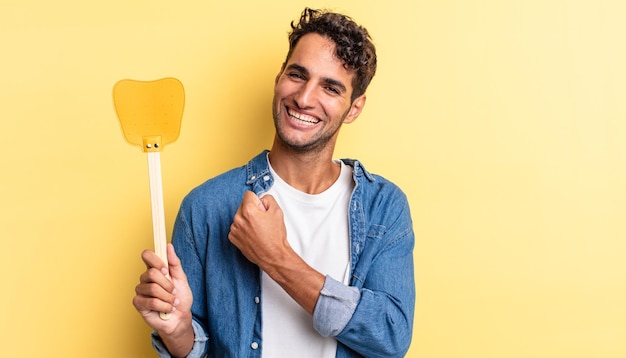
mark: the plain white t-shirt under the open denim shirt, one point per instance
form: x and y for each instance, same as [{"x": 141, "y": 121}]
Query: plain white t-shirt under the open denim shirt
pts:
[{"x": 317, "y": 229}]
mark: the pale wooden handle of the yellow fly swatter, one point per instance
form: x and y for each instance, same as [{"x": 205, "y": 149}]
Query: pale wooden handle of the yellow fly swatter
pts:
[{"x": 158, "y": 211}]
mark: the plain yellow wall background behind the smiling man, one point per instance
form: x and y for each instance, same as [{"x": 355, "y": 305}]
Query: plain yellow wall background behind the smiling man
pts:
[{"x": 504, "y": 121}]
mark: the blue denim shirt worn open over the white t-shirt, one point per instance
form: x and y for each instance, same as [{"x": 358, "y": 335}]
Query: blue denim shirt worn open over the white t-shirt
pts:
[{"x": 372, "y": 317}]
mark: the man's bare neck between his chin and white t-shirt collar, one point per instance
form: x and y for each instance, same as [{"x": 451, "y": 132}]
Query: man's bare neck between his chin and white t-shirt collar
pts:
[{"x": 311, "y": 173}]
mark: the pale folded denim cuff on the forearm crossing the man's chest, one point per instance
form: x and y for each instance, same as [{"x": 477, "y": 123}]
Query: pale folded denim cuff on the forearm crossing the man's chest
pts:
[{"x": 335, "y": 307}]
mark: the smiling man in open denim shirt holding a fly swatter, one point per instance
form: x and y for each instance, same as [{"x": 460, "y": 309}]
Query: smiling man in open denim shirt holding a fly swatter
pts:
[{"x": 294, "y": 254}]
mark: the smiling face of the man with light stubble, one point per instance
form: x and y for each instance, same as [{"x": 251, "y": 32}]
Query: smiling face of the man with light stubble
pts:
[{"x": 312, "y": 96}]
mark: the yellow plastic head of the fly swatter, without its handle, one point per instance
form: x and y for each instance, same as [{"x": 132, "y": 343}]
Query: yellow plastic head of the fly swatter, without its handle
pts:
[{"x": 150, "y": 112}]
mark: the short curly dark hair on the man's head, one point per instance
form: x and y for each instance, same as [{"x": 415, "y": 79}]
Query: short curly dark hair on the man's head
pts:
[{"x": 353, "y": 43}]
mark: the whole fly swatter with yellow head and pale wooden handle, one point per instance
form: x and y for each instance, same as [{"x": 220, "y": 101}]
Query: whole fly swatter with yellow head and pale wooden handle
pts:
[{"x": 150, "y": 113}]
